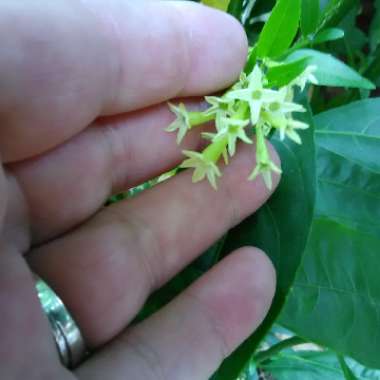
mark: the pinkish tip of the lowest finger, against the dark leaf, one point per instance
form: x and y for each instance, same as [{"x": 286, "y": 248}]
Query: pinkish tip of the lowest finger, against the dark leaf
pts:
[{"x": 239, "y": 292}]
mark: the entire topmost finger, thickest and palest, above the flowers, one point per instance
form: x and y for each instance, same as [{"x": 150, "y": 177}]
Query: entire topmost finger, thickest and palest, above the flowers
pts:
[{"x": 69, "y": 62}]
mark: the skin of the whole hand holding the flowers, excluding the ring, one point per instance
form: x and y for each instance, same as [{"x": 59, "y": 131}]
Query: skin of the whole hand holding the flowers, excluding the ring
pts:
[{"x": 83, "y": 91}]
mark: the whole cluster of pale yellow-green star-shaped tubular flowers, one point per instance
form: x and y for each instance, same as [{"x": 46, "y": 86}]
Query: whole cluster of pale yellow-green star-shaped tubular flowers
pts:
[{"x": 250, "y": 110}]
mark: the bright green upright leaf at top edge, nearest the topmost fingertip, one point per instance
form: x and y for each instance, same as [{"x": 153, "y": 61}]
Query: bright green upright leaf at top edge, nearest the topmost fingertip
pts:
[{"x": 281, "y": 28}]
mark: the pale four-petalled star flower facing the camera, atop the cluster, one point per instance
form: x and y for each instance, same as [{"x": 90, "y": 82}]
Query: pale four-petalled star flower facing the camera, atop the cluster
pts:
[{"x": 256, "y": 95}]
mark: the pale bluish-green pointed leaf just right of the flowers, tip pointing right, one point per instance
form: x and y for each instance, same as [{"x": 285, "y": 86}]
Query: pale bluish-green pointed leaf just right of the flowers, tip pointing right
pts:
[{"x": 330, "y": 71}]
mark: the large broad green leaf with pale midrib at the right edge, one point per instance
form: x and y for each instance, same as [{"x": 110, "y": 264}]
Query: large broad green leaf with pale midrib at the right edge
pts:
[{"x": 335, "y": 300}]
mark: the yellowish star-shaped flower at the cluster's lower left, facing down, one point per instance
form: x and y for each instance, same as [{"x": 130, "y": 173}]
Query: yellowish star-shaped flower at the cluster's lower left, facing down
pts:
[{"x": 204, "y": 167}]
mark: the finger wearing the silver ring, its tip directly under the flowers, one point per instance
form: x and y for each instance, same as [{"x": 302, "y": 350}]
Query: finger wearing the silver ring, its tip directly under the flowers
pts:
[{"x": 134, "y": 247}]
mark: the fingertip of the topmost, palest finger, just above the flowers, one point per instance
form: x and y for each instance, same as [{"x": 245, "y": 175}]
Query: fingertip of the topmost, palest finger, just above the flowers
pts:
[{"x": 219, "y": 48}]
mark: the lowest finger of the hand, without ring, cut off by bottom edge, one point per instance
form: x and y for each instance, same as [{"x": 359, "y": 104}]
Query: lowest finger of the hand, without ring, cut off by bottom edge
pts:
[{"x": 189, "y": 338}]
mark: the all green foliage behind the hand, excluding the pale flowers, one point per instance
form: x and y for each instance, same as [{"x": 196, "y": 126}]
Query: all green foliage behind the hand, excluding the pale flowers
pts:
[{"x": 321, "y": 228}]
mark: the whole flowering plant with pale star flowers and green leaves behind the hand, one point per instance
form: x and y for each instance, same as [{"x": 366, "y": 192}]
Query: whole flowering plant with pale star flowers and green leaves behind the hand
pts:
[{"x": 321, "y": 226}]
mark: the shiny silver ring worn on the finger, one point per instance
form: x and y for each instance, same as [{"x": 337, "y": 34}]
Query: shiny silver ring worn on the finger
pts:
[{"x": 67, "y": 336}]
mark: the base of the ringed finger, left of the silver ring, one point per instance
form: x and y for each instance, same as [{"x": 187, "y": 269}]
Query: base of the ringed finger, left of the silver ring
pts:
[{"x": 27, "y": 348}]
